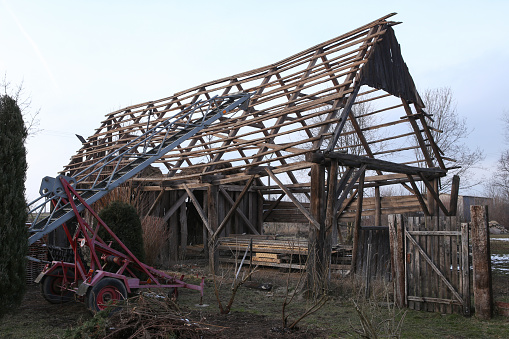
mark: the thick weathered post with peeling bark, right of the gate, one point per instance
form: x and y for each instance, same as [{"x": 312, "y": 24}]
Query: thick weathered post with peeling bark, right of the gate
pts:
[{"x": 481, "y": 262}]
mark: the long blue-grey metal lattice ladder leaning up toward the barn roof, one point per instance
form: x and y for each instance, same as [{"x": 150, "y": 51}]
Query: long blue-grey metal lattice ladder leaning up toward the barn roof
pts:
[{"x": 127, "y": 161}]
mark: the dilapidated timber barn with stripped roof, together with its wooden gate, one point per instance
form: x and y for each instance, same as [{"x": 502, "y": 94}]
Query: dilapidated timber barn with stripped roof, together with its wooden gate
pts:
[{"x": 326, "y": 133}]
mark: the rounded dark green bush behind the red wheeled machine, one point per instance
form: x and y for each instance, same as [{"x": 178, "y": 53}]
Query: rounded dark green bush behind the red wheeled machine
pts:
[{"x": 123, "y": 220}]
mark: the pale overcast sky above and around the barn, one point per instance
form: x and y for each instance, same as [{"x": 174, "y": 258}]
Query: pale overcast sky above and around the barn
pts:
[{"x": 79, "y": 60}]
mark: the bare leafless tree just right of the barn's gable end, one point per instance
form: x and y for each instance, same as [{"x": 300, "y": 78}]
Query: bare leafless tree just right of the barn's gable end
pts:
[{"x": 450, "y": 132}]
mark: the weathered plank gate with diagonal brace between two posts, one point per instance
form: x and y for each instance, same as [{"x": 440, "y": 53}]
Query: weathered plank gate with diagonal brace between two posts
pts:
[{"x": 437, "y": 265}]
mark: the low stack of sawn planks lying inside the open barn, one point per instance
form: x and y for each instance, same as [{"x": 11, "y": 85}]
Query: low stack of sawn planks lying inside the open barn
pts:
[{"x": 269, "y": 251}]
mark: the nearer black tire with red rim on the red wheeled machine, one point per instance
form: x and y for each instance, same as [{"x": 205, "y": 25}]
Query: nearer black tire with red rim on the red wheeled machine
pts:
[{"x": 105, "y": 291}]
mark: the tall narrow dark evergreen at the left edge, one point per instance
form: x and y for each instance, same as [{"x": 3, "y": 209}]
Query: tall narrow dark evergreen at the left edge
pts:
[{"x": 13, "y": 216}]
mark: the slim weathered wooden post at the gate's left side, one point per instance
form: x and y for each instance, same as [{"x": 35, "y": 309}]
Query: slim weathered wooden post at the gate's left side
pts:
[{"x": 397, "y": 243}]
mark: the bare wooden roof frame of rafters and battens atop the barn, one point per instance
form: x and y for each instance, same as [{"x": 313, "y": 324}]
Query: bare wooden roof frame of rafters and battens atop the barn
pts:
[{"x": 299, "y": 107}]
